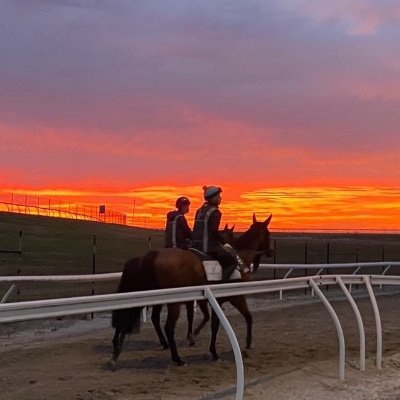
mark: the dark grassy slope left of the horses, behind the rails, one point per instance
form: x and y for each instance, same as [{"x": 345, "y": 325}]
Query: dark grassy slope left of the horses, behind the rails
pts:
[{"x": 54, "y": 246}]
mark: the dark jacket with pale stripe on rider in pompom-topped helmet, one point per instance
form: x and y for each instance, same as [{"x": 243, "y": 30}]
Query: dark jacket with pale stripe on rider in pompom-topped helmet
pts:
[{"x": 206, "y": 235}]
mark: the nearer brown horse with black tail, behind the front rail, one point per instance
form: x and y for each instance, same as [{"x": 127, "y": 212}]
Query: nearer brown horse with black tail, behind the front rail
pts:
[{"x": 169, "y": 268}]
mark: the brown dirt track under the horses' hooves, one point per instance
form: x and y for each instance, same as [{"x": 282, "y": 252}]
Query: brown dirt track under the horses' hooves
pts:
[{"x": 295, "y": 356}]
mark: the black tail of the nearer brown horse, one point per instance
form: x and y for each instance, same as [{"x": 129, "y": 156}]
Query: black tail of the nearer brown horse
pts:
[{"x": 138, "y": 274}]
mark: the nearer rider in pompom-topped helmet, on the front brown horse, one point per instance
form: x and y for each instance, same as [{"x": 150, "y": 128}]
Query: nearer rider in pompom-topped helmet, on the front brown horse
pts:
[{"x": 206, "y": 236}]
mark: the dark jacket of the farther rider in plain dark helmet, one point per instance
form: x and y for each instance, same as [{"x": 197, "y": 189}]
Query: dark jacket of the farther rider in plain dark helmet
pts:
[{"x": 177, "y": 231}]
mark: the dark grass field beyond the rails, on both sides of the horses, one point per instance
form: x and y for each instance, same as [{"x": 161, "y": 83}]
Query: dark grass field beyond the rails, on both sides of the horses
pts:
[{"x": 52, "y": 246}]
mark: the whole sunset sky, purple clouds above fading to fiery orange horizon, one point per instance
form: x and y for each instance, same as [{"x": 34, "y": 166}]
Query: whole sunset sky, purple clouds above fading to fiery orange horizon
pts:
[{"x": 292, "y": 106}]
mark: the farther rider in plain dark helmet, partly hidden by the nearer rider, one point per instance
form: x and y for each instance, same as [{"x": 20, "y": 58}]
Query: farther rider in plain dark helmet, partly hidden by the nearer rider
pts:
[{"x": 177, "y": 231}]
